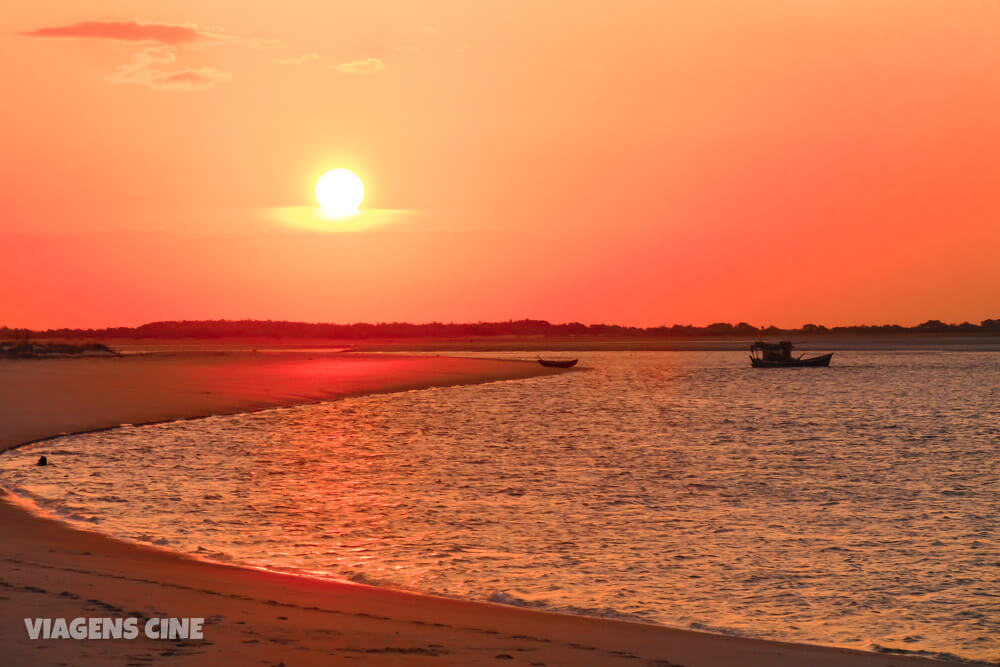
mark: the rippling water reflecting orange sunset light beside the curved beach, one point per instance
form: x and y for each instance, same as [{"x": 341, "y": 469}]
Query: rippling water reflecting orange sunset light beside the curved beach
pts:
[{"x": 854, "y": 506}]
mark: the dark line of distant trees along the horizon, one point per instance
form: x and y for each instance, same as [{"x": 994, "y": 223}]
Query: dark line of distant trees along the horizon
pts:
[{"x": 208, "y": 329}]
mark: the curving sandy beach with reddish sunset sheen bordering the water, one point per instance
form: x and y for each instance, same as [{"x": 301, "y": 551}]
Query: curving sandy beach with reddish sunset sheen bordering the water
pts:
[{"x": 50, "y": 569}]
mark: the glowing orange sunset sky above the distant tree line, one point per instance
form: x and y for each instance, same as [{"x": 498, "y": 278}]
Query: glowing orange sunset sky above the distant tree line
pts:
[{"x": 776, "y": 162}]
